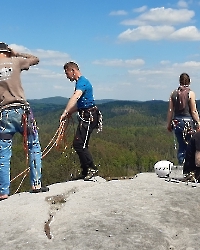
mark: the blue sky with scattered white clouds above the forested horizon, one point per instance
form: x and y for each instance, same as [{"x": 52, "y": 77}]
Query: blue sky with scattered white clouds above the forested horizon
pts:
[{"x": 129, "y": 50}]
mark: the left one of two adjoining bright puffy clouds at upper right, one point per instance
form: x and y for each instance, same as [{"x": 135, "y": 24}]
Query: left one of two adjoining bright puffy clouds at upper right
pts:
[{"x": 153, "y": 33}]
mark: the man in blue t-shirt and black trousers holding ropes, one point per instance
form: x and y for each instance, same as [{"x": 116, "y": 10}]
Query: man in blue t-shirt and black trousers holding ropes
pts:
[{"x": 88, "y": 115}]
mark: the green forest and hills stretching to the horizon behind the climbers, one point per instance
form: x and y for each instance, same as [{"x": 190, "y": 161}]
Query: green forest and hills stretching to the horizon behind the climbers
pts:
[{"x": 133, "y": 139}]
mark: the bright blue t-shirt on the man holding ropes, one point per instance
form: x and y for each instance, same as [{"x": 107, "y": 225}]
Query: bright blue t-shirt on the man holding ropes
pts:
[{"x": 87, "y": 98}]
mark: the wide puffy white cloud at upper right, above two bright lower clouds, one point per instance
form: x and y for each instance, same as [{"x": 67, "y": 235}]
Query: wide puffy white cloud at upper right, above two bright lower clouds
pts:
[{"x": 162, "y": 16}]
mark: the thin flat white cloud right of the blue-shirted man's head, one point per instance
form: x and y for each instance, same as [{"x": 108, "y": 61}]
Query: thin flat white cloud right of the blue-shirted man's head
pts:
[{"x": 120, "y": 62}]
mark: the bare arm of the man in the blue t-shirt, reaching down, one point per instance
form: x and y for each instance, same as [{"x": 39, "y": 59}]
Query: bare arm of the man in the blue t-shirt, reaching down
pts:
[{"x": 71, "y": 105}]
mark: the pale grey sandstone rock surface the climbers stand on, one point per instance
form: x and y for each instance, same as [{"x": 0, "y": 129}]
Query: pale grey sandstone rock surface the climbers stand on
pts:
[{"x": 145, "y": 212}]
